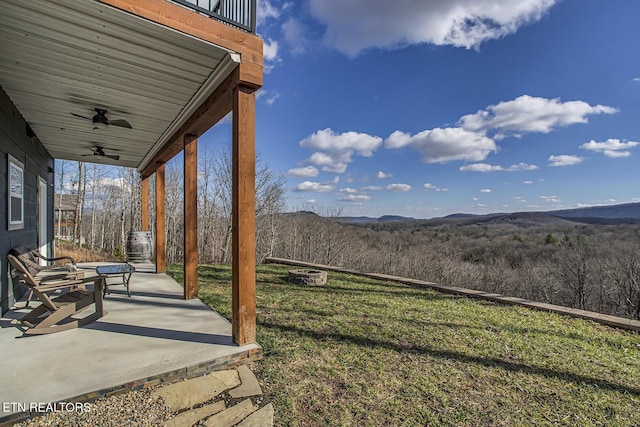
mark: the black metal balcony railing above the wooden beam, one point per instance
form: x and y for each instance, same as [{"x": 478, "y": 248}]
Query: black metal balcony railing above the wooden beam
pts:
[{"x": 238, "y": 13}]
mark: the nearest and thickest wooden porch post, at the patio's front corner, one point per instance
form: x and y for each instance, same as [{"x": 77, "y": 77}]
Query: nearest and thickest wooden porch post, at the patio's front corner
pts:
[{"x": 243, "y": 217}]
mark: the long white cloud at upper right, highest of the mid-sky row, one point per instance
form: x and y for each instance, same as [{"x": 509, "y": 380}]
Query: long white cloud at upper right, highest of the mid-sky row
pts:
[{"x": 530, "y": 114}]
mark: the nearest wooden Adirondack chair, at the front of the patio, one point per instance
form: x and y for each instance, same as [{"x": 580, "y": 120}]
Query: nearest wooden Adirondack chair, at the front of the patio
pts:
[{"x": 55, "y": 313}]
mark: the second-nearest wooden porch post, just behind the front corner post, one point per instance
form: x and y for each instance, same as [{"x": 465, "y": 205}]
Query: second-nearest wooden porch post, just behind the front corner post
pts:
[{"x": 190, "y": 216}]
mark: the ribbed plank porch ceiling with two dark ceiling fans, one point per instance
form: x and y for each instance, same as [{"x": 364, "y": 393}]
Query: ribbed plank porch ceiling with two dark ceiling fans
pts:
[{"x": 59, "y": 57}]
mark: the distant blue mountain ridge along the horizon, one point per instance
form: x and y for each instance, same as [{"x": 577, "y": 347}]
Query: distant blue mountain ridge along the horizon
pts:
[{"x": 612, "y": 214}]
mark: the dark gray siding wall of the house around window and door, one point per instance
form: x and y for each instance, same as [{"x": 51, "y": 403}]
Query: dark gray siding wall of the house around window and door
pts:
[{"x": 37, "y": 162}]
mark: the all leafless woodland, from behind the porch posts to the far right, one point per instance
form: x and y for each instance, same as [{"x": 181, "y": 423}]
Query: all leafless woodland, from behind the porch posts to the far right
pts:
[{"x": 537, "y": 255}]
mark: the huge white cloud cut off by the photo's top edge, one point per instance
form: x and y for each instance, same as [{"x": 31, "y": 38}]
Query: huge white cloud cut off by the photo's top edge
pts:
[{"x": 356, "y": 25}]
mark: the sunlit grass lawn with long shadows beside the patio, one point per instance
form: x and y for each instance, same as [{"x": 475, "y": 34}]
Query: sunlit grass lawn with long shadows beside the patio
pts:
[{"x": 365, "y": 352}]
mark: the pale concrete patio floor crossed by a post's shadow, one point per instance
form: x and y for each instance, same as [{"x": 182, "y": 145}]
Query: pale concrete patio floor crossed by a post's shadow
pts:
[{"x": 151, "y": 337}]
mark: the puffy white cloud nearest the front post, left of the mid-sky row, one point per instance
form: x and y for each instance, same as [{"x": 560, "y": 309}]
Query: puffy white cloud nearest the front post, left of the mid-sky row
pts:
[{"x": 335, "y": 151}]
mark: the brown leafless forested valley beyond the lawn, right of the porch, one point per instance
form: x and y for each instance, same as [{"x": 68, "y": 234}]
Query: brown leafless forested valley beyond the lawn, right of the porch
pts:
[{"x": 538, "y": 257}]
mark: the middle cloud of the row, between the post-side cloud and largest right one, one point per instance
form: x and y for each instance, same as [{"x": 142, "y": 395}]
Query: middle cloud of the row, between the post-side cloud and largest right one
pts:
[{"x": 444, "y": 145}]
